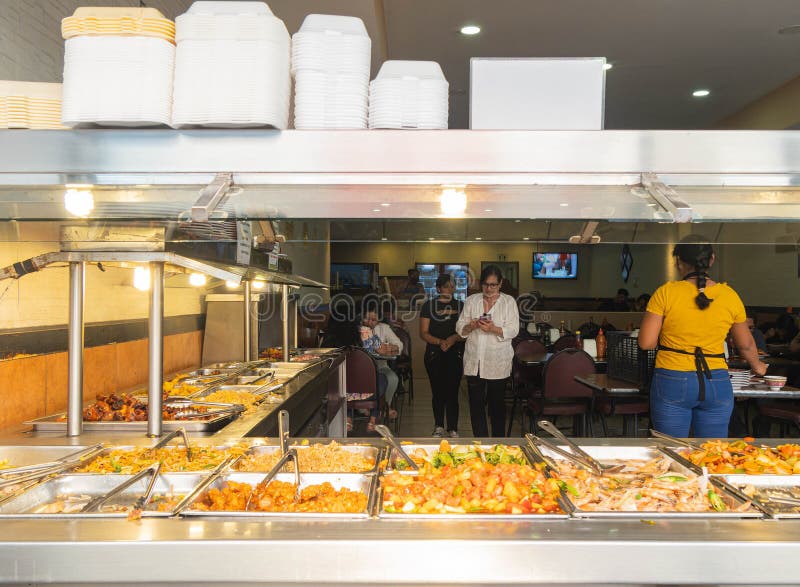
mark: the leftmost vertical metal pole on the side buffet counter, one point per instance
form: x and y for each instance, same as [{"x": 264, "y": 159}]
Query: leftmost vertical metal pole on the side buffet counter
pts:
[{"x": 77, "y": 287}]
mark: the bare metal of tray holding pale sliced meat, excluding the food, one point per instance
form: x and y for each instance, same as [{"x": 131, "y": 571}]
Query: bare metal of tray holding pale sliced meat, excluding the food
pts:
[{"x": 611, "y": 455}]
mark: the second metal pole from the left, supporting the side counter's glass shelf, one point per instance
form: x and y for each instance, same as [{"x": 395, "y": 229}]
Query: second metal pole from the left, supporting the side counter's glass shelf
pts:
[{"x": 155, "y": 328}]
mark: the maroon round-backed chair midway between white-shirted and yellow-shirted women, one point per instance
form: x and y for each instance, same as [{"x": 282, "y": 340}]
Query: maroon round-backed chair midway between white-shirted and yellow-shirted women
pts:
[{"x": 561, "y": 394}]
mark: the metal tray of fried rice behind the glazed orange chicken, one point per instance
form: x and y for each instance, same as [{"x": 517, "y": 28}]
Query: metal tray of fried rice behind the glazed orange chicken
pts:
[{"x": 315, "y": 458}]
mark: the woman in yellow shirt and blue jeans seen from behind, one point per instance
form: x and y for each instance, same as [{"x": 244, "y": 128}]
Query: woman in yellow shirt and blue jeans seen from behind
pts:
[{"x": 688, "y": 321}]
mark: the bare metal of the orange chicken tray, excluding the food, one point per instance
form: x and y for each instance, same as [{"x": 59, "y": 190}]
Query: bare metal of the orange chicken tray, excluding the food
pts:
[{"x": 353, "y": 481}]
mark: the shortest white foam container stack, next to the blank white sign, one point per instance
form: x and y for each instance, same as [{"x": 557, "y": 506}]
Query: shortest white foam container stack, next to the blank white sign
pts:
[{"x": 409, "y": 94}]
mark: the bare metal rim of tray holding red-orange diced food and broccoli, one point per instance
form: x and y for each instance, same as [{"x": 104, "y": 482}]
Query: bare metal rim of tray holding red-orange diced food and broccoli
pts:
[{"x": 430, "y": 449}]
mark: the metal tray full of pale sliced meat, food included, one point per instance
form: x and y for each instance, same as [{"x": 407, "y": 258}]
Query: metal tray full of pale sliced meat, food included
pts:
[{"x": 642, "y": 482}]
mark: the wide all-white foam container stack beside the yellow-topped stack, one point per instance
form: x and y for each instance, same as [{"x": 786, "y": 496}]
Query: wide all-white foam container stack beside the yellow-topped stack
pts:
[{"x": 232, "y": 67}]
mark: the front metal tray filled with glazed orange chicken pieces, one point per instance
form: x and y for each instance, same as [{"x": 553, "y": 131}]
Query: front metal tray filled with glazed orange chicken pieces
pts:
[{"x": 325, "y": 495}]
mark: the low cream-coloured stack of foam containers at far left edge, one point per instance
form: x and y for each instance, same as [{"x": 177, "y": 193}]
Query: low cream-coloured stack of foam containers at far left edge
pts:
[{"x": 30, "y": 105}]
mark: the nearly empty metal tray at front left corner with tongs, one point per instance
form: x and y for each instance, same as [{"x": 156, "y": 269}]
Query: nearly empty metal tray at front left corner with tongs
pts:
[{"x": 82, "y": 488}]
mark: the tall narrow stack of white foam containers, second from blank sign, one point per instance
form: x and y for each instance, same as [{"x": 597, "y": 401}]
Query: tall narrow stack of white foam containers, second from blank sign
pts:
[{"x": 330, "y": 64}]
